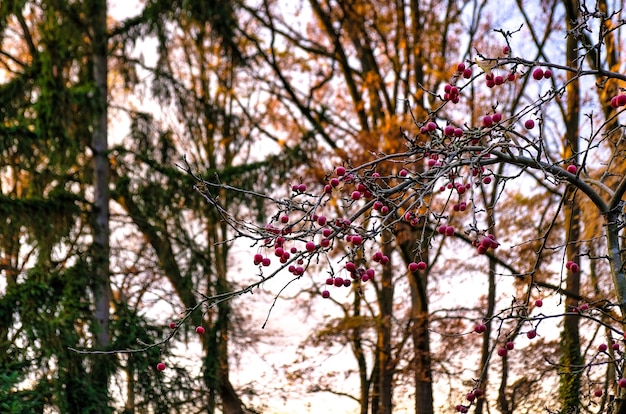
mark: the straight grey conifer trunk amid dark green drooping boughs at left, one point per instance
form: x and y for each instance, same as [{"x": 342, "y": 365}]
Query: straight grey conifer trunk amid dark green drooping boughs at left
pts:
[{"x": 100, "y": 251}]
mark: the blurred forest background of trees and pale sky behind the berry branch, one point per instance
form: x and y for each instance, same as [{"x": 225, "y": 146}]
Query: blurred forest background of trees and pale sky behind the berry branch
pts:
[{"x": 104, "y": 241}]
